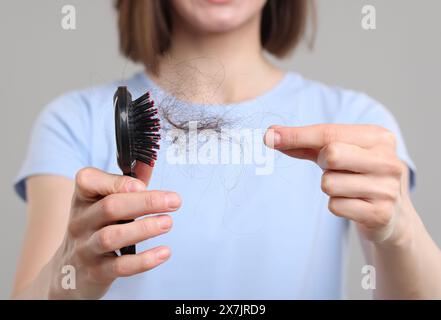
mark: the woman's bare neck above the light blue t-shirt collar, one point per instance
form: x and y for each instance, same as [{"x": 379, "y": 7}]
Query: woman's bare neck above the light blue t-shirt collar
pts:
[{"x": 218, "y": 67}]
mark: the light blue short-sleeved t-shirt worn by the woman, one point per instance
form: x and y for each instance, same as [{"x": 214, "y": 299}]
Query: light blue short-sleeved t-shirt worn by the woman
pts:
[{"x": 250, "y": 230}]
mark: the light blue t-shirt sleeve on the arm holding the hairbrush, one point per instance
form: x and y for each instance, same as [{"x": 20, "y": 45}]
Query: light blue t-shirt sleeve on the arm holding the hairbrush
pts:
[{"x": 58, "y": 142}]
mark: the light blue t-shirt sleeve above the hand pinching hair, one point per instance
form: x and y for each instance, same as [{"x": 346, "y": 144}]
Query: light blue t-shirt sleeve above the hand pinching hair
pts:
[{"x": 366, "y": 110}]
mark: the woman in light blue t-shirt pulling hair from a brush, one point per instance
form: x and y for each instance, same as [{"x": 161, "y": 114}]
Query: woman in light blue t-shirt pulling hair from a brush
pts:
[{"x": 239, "y": 232}]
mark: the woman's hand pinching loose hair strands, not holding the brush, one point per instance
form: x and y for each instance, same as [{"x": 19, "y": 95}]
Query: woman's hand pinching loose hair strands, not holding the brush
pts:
[{"x": 361, "y": 172}]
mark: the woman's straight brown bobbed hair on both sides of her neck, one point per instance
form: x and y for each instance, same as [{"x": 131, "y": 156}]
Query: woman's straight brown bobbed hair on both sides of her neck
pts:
[{"x": 145, "y": 27}]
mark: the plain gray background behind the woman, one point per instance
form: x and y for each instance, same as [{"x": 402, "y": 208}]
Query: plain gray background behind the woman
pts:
[{"x": 399, "y": 64}]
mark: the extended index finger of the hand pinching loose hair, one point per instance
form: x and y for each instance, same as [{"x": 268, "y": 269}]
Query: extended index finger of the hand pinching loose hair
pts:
[{"x": 318, "y": 136}]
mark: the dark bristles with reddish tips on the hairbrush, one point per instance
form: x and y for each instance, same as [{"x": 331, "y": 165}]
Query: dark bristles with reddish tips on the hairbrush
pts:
[{"x": 144, "y": 126}]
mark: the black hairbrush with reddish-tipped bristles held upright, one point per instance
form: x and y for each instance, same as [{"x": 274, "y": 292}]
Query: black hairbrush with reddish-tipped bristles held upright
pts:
[{"x": 137, "y": 136}]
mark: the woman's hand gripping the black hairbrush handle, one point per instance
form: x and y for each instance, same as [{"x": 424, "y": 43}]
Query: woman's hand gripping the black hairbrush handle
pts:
[{"x": 101, "y": 200}]
